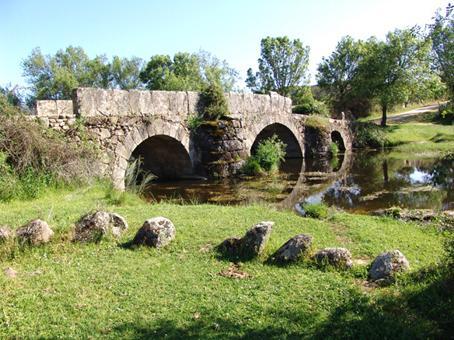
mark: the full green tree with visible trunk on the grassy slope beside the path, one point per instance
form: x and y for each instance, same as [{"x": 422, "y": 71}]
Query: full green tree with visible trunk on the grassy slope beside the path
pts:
[{"x": 389, "y": 68}]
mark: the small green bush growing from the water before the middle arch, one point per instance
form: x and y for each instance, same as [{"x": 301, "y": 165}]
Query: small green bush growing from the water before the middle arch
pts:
[{"x": 270, "y": 153}]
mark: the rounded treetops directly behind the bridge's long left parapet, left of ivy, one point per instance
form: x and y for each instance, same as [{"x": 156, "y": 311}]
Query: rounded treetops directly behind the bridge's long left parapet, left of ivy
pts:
[{"x": 187, "y": 72}]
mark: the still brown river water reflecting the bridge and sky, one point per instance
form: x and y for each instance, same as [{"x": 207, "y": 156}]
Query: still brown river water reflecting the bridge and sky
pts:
[{"x": 356, "y": 182}]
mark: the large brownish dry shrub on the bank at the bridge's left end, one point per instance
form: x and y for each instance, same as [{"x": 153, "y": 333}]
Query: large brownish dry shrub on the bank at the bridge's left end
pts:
[{"x": 34, "y": 157}]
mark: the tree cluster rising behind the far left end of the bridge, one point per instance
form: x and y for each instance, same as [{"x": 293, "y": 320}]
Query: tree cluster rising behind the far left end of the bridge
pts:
[{"x": 54, "y": 77}]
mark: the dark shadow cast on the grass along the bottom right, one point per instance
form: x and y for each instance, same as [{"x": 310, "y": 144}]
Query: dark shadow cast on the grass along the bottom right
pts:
[{"x": 424, "y": 310}]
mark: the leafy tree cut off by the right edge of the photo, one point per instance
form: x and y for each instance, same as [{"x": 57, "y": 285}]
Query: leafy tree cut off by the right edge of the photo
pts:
[{"x": 442, "y": 35}]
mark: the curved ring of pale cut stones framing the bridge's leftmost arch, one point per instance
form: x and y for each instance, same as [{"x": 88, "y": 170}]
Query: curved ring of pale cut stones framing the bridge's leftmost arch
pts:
[{"x": 139, "y": 134}]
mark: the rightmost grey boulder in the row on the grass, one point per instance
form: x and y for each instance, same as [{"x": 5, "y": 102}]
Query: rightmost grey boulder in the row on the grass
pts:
[{"x": 387, "y": 264}]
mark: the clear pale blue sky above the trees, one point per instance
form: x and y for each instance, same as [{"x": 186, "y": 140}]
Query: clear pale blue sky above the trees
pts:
[{"x": 230, "y": 29}]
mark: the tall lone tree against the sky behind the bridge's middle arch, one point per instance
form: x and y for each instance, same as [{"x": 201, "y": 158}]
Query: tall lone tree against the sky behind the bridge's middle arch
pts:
[{"x": 283, "y": 65}]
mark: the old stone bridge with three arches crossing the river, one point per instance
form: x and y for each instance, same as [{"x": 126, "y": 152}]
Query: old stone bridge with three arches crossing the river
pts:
[{"x": 156, "y": 126}]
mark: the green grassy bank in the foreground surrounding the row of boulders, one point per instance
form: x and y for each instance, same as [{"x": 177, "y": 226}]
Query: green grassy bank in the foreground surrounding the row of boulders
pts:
[{"x": 69, "y": 290}]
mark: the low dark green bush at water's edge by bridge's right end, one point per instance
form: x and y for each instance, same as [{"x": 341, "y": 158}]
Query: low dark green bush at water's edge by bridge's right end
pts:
[{"x": 369, "y": 135}]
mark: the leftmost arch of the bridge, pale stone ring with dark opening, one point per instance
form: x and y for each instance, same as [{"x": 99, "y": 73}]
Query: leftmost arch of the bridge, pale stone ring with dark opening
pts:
[{"x": 158, "y": 139}]
